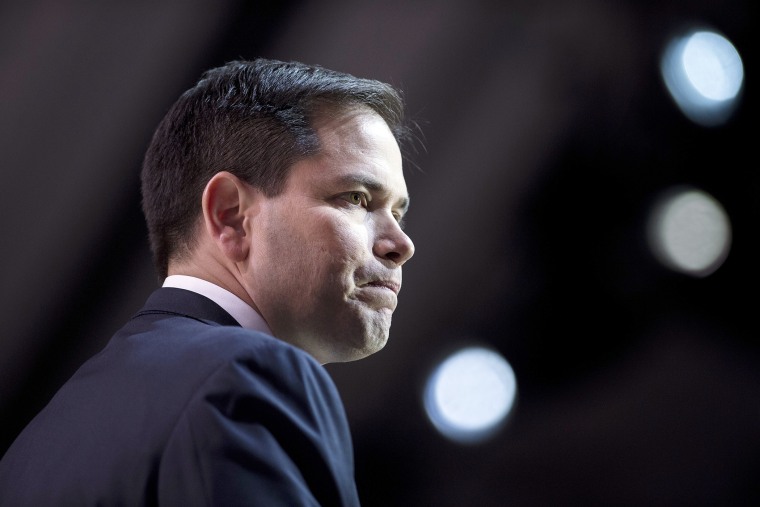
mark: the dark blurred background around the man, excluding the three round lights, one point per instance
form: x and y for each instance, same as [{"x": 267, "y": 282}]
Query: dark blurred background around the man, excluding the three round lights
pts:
[{"x": 548, "y": 134}]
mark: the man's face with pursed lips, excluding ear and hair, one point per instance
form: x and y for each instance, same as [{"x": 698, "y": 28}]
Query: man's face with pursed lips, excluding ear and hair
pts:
[{"x": 326, "y": 254}]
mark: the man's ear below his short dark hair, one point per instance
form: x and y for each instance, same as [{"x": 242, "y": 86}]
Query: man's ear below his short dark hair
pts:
[{"x": 224, "y": 203}]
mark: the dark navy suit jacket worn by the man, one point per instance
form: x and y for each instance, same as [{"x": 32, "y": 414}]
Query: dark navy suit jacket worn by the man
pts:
[{"x": 184, "y": 407}]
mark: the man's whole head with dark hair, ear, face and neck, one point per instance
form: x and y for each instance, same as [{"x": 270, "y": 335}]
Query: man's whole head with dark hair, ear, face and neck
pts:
[{"x": 283, "y": 183}]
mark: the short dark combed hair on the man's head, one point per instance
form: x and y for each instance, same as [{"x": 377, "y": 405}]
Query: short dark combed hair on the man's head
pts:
[{"x": 254, "y": 119}]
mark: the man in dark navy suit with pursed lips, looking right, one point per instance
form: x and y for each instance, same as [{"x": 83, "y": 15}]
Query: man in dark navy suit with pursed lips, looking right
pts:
[{"x": 274, "y": 197}]
